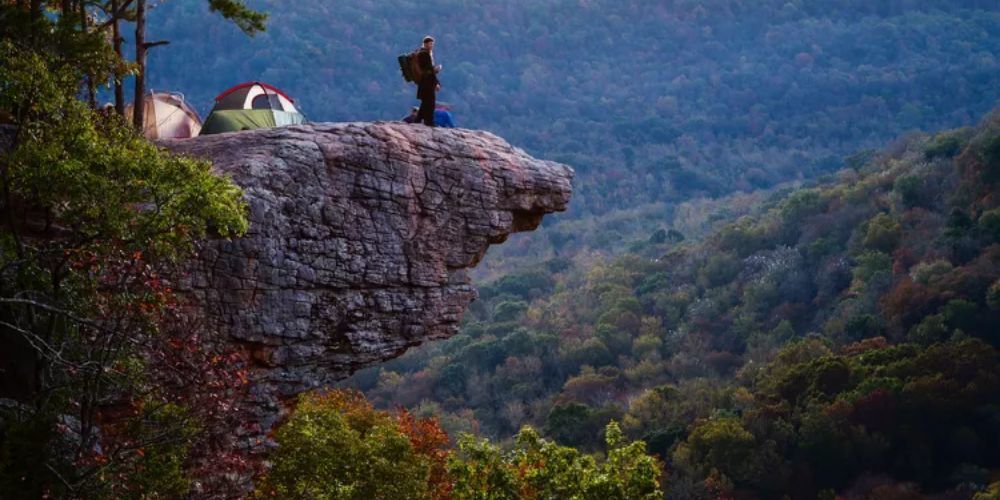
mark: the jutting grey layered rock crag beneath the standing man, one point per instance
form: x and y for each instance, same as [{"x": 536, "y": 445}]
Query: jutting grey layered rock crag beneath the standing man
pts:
[{"x": 360, "y": 234}]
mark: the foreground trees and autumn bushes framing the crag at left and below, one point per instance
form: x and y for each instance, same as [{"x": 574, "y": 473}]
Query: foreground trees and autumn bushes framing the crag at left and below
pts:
[{"x": 109, "y": 389}]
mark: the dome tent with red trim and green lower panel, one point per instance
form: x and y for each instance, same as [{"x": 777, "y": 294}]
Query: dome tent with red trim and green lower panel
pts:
[{"x": 251, "y": 105}]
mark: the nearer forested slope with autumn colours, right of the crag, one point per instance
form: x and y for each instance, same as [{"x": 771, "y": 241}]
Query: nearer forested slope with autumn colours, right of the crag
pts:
[{"x": 841, "y": 338}]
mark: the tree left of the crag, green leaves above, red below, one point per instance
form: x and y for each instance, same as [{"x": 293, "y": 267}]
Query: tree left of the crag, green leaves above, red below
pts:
[{"x": 93, "y": 217}]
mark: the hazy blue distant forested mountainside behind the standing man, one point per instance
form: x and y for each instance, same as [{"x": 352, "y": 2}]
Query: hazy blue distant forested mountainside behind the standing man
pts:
[{"x": 649, "y": 101}]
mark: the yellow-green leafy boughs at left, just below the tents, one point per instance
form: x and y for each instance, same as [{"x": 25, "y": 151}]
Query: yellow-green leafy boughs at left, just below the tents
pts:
[{"x": 101, "y": 177}]
